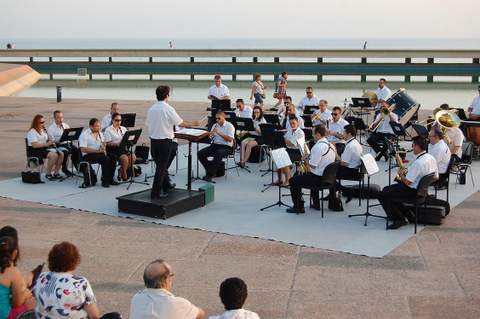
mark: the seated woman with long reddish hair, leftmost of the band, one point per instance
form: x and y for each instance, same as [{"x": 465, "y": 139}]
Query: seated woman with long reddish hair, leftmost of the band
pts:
[{"x": 41, "y": 147}]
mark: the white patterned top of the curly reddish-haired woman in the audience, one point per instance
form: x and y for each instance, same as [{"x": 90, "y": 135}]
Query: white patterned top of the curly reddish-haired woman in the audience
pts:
[{"x": 62, "y": 295}]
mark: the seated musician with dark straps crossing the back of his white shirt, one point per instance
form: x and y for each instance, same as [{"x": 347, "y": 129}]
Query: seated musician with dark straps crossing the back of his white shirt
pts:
[{"x": 322, "y": 154}]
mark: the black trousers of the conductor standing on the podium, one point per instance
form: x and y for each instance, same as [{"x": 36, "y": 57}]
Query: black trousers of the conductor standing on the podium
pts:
[{"x": 161, "y": 154}]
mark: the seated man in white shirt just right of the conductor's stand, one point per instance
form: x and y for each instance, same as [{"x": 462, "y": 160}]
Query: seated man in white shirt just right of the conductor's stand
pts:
[{"x": 222, "y": 136}]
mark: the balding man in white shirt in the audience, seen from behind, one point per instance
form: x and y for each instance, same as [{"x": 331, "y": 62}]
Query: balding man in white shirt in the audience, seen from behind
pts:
[{"x": 157, "y": 301}]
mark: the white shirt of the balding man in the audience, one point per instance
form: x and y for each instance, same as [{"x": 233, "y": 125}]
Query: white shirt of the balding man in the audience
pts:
[{"x": 159, "y": 304}]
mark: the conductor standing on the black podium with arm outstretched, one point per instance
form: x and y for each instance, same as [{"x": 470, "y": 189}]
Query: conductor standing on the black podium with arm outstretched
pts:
[{"x": 161, "y": 121}]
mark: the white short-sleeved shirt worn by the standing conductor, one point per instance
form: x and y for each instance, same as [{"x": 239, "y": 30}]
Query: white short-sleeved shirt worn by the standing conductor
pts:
[{"x": 160, "y": 121}]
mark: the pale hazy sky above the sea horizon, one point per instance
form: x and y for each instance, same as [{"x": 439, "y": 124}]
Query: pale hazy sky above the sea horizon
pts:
[{"x": 348, "y": 19}]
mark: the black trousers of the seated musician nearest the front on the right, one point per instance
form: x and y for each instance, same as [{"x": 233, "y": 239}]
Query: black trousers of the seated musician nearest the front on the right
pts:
[{"x": 392, "y": 197}]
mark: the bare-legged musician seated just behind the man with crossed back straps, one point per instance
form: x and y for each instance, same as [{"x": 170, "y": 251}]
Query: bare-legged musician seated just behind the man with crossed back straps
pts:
[{"x": 293, "y": 135}]
